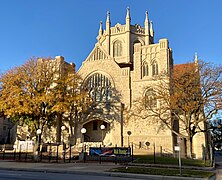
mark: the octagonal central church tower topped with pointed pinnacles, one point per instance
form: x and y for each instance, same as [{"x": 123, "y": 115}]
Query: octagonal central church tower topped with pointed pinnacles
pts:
[{"x": 119, "y": 40}]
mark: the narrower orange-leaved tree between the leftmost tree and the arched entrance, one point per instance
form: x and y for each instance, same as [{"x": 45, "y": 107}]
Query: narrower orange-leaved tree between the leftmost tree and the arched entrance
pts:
[{"x": 70, "y": 100}]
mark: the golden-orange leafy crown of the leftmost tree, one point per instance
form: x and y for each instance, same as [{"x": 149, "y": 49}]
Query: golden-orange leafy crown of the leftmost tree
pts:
[{"x": 26, "y": 97}]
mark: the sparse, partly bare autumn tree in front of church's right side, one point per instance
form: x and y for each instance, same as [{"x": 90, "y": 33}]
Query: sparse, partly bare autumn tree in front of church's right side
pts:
[{"x": 185, "y": 101}]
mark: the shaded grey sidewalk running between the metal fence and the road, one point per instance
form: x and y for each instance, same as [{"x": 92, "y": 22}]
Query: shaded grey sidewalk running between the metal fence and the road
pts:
[{"x": 80, "y": 168}]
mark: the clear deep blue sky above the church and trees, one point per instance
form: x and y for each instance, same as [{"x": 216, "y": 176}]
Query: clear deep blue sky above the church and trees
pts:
[{"x": 44, "y": 28}]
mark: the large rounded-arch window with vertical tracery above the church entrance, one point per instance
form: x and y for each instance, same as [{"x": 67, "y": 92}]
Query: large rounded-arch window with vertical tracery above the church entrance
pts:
[{"x": 99, "y": 87}]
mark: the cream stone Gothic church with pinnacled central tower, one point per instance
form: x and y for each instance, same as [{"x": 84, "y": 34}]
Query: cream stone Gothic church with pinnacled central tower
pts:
[{"x": 124, "y": 61}]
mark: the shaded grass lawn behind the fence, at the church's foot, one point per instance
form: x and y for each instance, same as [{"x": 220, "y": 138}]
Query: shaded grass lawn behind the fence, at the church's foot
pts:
[{"x": 149, "y": 159}]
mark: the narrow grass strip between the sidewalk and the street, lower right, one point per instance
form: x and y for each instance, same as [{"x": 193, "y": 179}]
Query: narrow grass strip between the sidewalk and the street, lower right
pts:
[{"x": 164, "y": 171}]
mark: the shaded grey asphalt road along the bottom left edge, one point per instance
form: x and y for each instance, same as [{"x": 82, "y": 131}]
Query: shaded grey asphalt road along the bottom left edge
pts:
[{"x": 24, "y": 175}]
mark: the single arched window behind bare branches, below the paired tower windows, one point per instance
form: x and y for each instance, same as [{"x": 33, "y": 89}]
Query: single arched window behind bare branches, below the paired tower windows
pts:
[{"x": 150, "y": 99}]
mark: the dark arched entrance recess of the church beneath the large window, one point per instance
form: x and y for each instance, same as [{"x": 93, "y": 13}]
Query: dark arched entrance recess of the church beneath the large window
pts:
[{"x": 94, "y": 133}]
